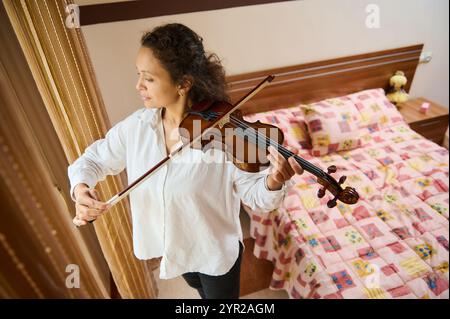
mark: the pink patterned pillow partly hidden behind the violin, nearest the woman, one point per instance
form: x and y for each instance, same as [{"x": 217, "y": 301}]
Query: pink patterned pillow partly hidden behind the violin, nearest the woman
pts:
[{"x": 290, "y": 121}]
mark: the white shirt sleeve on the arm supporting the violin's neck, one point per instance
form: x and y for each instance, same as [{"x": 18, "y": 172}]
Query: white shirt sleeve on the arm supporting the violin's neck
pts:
[{"x": 253, "y": 191}]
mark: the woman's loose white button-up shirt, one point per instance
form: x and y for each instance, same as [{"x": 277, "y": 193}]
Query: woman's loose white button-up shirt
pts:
[{"x": 188, "y": 211}]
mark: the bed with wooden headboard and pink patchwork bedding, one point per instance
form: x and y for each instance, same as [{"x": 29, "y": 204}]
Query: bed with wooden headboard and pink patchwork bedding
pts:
[{"x": 394, "y": 242}]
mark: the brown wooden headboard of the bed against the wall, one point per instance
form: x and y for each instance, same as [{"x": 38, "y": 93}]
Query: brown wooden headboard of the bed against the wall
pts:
[{"x": 312, "y": 82}]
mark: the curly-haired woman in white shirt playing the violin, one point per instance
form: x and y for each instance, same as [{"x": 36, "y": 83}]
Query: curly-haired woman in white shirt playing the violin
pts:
[{"x": 188, "y": 212}]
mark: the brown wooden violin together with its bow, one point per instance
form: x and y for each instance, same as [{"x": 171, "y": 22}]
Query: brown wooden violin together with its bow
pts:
[{"x": 246, "y": 142}]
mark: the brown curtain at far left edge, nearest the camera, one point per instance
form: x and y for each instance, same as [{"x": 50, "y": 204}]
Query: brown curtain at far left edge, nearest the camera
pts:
[{"x": 37, "y": 242}]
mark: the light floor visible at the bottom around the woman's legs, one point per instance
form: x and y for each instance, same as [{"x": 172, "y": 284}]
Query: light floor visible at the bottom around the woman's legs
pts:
[{"x": 177, "y": 288}]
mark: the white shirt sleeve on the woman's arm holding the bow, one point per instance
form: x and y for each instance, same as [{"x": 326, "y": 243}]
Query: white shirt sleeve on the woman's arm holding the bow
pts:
[{"x": 104, "y": 157}]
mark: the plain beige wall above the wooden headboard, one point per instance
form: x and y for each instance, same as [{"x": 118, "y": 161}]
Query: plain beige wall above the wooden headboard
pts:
[{"x": 280, "y": 34}]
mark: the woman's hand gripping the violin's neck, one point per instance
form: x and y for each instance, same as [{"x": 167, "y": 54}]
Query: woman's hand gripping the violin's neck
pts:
[{"x": 282, "y": 169}]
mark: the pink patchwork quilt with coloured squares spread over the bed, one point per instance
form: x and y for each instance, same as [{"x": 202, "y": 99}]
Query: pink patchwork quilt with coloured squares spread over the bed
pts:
[{"x": 392, "y": 244}]
